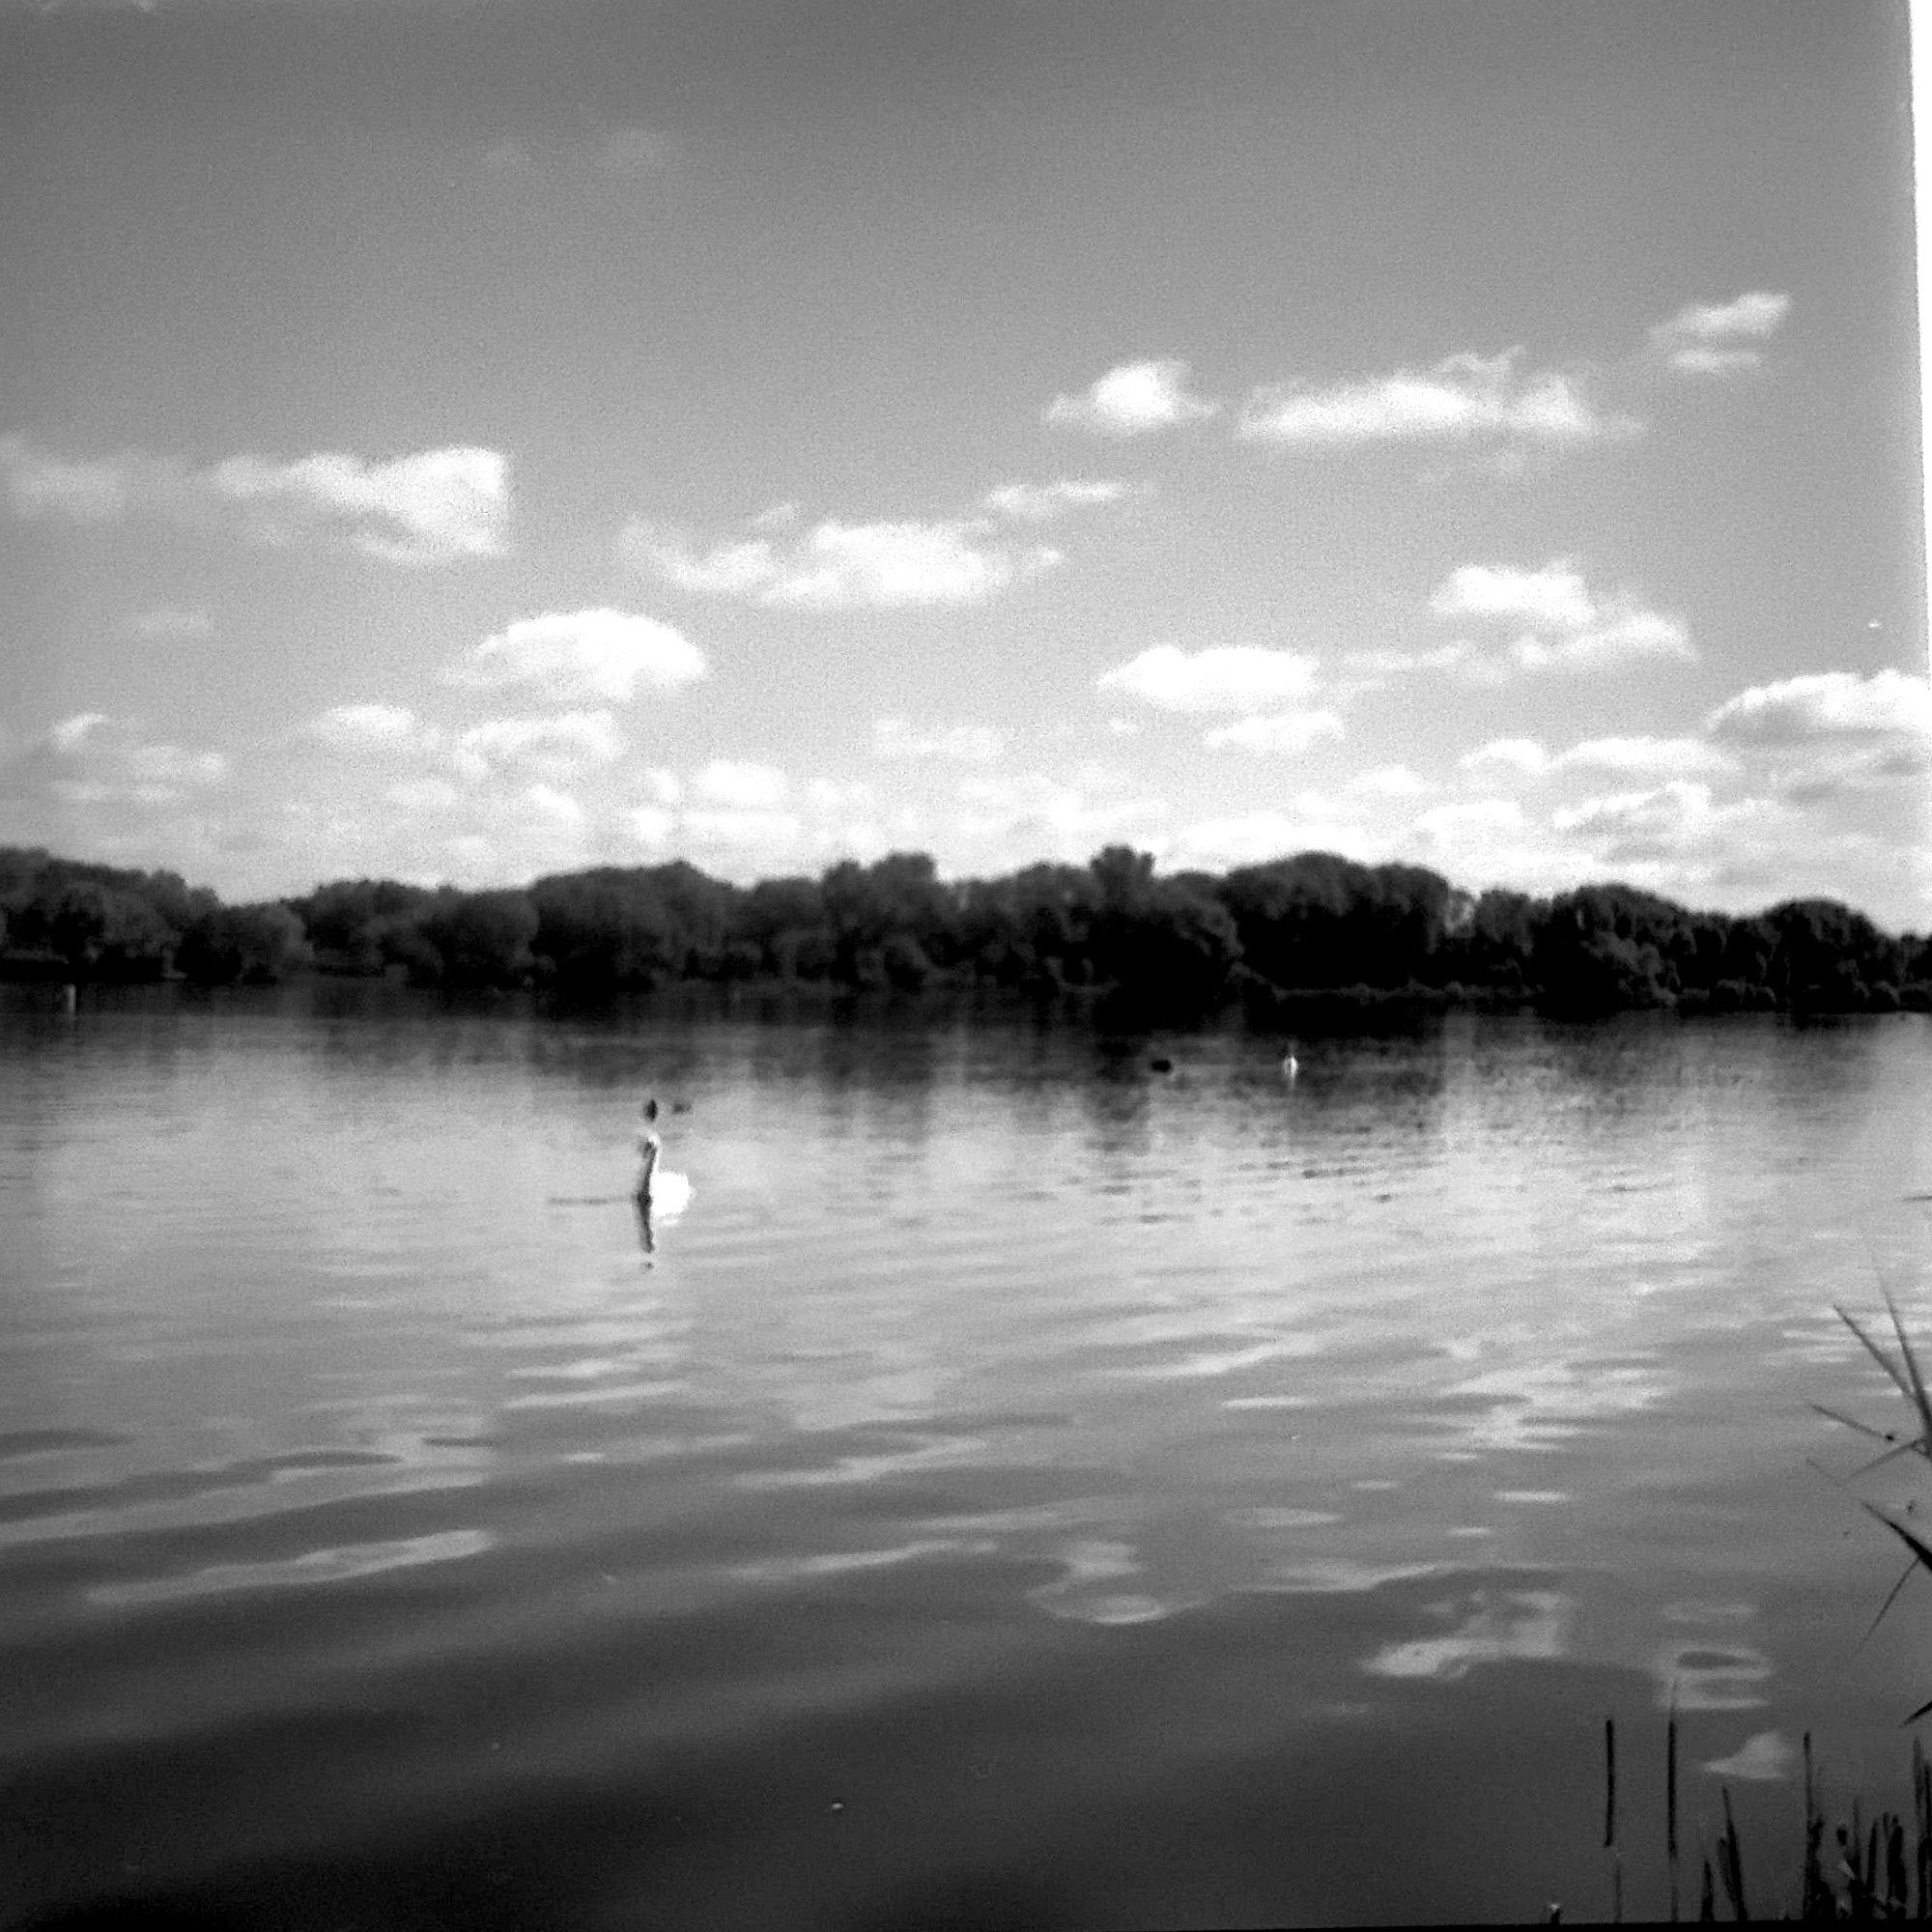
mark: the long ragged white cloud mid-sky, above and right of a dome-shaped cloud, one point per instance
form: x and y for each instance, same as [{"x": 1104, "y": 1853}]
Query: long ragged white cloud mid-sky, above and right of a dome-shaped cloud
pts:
[{"x": 839, "y": 567}]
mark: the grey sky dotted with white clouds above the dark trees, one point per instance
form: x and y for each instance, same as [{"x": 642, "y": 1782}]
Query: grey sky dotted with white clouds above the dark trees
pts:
[{"x": 470, "y": 440}]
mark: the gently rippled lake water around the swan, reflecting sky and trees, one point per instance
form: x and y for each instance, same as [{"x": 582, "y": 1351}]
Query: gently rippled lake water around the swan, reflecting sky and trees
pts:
[{"x": 1023, "y": 1491}]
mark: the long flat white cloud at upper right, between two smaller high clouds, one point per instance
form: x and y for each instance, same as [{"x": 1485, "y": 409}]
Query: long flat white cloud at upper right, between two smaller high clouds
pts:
[{"x": 1462, "y": 399}]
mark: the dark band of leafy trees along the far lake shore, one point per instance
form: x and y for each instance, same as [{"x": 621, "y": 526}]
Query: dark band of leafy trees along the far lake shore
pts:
[{"x": 1315, "y": 928}]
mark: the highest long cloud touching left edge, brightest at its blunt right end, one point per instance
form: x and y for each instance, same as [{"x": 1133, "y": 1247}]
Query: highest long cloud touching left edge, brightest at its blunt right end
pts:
[{"x": 432, "y": 507}]
